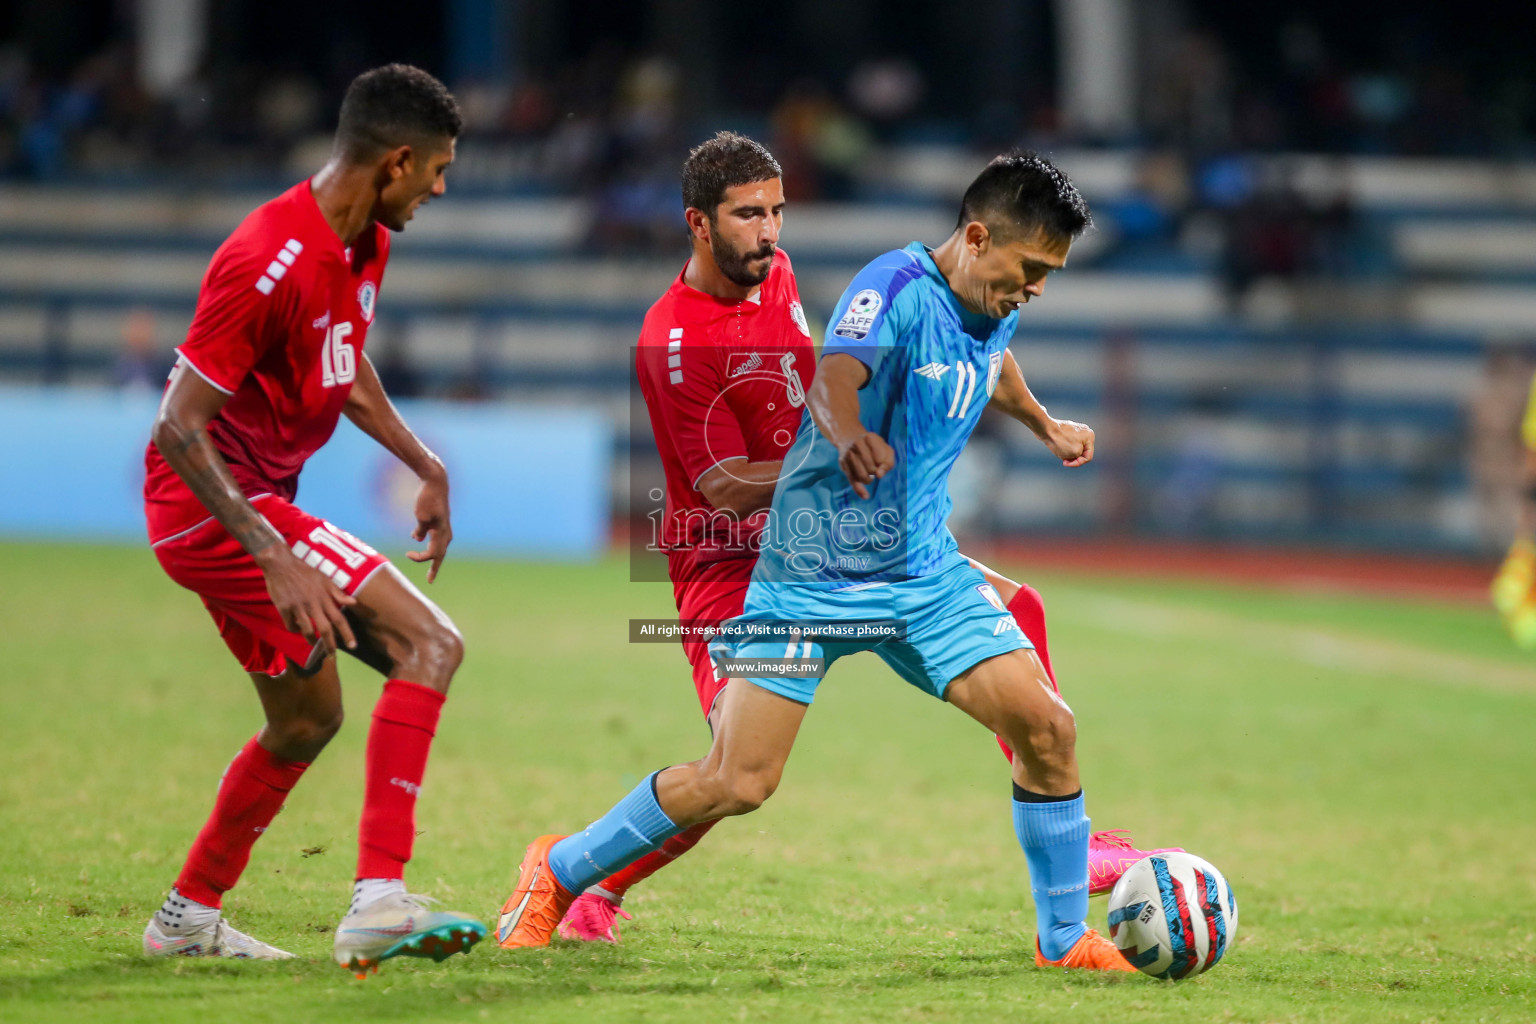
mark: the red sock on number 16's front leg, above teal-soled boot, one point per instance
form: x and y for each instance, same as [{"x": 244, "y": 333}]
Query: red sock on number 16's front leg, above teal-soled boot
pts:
[{"x": 405, "y": 722}]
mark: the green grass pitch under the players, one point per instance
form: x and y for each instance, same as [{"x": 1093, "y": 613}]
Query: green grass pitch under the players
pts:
[{"x": 1362, "y": 770}]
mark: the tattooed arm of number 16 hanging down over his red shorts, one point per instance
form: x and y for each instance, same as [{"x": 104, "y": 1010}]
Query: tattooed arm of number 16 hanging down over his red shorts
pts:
[{"x": 308, "y": 603}]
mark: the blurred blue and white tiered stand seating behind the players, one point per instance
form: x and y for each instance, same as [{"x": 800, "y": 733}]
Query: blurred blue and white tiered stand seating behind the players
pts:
[{"x": 1313, "y": 406}]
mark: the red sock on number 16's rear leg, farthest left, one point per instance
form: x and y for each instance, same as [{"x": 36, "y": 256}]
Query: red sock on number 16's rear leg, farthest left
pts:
[{"x": 250, "y": 796}]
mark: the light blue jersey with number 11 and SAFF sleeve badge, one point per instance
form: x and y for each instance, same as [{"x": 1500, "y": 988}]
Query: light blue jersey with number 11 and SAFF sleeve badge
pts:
[{"x": 933, "y": 368}]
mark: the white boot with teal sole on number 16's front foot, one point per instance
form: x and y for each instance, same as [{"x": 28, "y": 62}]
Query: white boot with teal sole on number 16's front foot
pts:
[{"x": 402, "y": 925}]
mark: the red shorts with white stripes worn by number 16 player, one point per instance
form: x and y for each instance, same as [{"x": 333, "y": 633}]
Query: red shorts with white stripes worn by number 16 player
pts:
[{"x": 213, "y": 566}]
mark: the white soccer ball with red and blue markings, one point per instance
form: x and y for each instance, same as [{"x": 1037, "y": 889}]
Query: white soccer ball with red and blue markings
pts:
[{"x": 1173, "y": 916}]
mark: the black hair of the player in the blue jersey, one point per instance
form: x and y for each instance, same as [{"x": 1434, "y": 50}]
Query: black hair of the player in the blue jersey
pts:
[{"x": 1022, "y": 191}]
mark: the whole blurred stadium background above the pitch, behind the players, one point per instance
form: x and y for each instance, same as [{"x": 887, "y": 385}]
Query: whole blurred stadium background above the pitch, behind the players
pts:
[{"x": 1303, "y": 322}]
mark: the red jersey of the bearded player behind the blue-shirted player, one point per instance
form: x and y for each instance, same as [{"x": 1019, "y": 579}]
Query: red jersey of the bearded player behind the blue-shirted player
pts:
[{"x": 723, "y": 382}]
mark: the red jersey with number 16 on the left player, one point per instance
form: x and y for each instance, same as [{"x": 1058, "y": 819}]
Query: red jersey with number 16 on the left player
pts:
[{"x": 280, "y": 325}]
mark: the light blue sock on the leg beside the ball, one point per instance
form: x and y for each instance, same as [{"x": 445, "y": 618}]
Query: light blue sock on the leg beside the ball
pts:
[{"x": 1054, "y": 837}]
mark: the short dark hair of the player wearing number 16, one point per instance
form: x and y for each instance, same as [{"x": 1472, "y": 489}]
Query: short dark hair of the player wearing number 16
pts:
[{"x": 396, "y": 105}]
